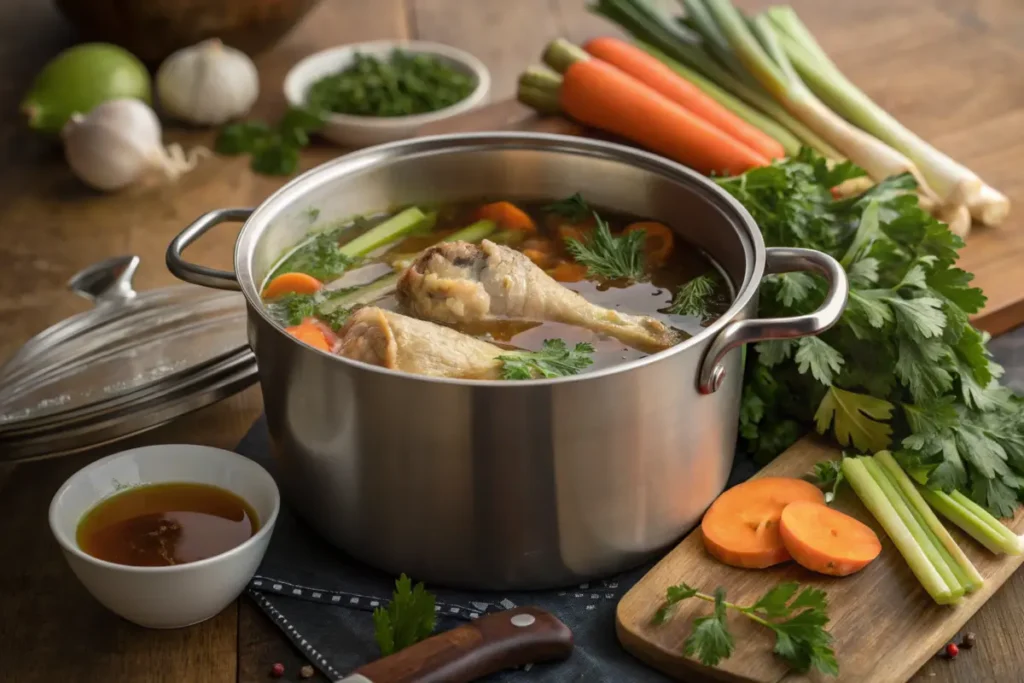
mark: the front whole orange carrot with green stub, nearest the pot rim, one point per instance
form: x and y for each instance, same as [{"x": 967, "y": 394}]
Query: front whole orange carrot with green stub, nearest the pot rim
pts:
[{"x": 599, "y": 95}]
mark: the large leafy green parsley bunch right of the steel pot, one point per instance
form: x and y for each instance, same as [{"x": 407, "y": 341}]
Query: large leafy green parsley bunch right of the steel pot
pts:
[{"x": 904, "y": 369}]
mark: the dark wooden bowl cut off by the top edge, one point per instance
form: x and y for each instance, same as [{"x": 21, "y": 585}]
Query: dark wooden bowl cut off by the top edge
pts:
[{"x": 153, "y": 29}]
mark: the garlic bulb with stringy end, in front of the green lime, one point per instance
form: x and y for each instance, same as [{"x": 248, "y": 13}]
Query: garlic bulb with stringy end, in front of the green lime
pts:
[{"x": 118, "y": 143}]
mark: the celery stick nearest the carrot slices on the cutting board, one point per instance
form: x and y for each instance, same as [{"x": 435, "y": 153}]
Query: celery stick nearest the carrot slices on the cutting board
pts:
[{"x": 856, "y": 472}]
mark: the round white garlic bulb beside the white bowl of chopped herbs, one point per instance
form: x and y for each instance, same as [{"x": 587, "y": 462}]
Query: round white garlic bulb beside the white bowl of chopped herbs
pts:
[{"x": 207, "y": 84}]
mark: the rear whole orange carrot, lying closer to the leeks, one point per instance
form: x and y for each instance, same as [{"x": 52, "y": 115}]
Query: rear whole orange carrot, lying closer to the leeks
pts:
[{"x": 653, "y": 73}]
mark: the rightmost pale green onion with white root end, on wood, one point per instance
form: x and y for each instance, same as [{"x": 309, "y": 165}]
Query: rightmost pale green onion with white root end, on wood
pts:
[{"x": 953, "y": 183}]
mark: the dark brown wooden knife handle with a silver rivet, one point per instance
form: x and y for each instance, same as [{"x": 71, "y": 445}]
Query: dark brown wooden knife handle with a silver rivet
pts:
[{"x": 503, "y": 641}]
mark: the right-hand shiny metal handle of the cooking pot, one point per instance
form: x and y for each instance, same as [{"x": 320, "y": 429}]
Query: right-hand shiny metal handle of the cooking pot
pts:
[{"x": 780, "y": 260}]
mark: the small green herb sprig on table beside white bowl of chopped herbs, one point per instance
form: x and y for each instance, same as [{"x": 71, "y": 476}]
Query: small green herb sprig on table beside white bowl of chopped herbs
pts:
[{"x": 274, "y": 151}]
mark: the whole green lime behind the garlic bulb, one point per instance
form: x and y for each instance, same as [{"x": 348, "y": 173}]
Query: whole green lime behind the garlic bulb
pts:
[{"x": 80, "y": 78}]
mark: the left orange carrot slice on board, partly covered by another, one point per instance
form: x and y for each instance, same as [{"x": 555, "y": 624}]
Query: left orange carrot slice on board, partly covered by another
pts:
[{"x": 741, "y": 529}]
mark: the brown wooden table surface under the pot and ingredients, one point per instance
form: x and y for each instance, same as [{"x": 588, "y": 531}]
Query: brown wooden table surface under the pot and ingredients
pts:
[{"x": 950, "y": 69}]
